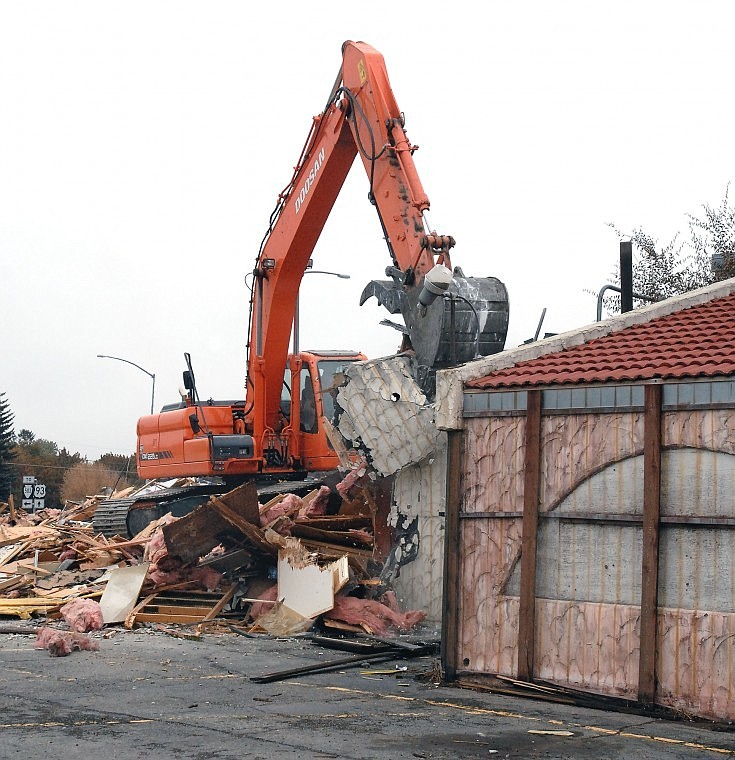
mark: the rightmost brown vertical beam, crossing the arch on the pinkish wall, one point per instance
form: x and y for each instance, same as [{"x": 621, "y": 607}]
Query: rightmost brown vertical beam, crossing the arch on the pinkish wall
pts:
[{"x": 650, "y": 552}]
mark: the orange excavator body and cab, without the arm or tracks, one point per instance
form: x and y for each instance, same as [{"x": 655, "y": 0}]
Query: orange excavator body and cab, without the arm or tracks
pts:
[{"x": 214, "y": 438}]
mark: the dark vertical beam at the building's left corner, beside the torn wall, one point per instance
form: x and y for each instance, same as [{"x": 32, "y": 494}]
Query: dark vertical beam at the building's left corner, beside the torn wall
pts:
[{"x": 452, "y": 553}]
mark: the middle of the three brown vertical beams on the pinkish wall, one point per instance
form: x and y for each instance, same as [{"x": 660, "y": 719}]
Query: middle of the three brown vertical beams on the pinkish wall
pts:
[{"x": 531, "y": 492}]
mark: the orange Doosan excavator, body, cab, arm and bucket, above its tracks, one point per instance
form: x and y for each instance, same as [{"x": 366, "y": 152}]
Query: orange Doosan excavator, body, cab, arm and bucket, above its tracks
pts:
[{"x": 279, "y": 430}]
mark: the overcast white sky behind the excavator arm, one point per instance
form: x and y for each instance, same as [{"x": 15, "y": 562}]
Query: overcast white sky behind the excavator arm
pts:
[{"x": 143, "y": 146}]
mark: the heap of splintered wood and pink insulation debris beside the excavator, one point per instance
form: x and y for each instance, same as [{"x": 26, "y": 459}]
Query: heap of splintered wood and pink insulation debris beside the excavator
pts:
[{"x": 231, "y": 564}]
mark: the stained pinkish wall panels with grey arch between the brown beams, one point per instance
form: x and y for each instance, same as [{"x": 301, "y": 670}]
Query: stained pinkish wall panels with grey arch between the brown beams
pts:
[{"x": 589, "y": 553}]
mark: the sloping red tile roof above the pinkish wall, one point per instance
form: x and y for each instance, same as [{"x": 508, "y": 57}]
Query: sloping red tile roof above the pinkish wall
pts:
[{"x": 694, "y": 342}]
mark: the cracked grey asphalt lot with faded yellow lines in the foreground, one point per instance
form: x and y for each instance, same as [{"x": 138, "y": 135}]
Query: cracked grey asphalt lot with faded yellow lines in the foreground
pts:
[{"x": 149, "y": 694}]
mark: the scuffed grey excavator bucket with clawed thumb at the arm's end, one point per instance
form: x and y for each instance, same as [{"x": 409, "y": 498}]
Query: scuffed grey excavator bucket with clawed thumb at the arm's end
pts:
[{"x": 469, "y": 320}]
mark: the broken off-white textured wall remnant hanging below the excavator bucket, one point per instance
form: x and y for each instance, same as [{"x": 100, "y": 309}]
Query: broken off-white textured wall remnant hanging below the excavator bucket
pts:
[{"x": 385, "y": 415}]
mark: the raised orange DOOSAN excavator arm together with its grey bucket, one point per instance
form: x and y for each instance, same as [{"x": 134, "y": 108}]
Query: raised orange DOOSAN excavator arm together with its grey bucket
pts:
[{"x": 362, "y": 118}]
